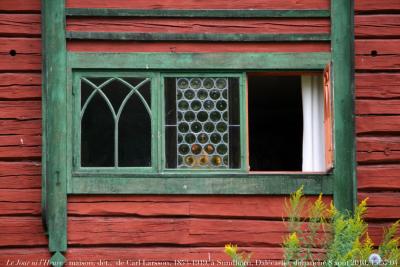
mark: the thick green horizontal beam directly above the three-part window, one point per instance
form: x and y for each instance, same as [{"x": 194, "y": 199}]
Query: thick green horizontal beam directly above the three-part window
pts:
[{"x": 213, "y": 61}]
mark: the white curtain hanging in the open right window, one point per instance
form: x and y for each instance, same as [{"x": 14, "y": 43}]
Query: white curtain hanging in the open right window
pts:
[{"x": 313, "y": 123}]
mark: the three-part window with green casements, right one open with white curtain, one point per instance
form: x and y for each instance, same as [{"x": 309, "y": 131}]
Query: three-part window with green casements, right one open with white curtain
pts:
[{"x": 156, "y": 121}]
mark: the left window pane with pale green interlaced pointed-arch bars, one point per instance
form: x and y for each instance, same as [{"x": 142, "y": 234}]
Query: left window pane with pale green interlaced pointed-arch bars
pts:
[{"x": 115, "y": 122}]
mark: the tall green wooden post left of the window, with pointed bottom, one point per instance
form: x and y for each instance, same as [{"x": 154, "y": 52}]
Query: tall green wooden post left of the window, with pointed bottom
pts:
[{"x": 55, "y": 126}]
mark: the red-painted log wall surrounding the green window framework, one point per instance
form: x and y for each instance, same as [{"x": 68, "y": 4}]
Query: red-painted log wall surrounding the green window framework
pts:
[{"x": 185, "y": 227}]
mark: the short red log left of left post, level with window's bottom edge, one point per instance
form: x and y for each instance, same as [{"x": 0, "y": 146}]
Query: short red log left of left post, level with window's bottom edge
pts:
[{"x": 20, "y": 175}]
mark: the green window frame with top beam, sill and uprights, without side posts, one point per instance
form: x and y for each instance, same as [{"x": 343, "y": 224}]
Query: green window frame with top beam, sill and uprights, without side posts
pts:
[{"x": 160, "y": 180}]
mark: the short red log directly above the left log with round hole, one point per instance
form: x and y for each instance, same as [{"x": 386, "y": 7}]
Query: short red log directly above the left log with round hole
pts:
[{"x": 19, "y": 25}]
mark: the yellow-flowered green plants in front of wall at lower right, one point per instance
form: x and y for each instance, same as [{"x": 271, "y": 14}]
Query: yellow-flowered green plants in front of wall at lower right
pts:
[{"x": 342, "y": 236}]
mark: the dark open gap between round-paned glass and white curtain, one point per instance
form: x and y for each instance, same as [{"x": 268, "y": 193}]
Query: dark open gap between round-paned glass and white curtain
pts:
[{"x": 275, "y": 123}]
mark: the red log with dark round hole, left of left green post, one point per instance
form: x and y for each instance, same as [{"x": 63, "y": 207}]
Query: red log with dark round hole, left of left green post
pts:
[{"x": 20, "y": 54}]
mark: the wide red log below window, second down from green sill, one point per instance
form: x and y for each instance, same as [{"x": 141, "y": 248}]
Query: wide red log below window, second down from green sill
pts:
[{"x": 173, "y": 231}]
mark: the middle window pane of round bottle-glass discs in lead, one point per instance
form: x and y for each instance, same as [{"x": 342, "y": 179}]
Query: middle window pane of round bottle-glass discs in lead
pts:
[{"x": 202, "y": 122}]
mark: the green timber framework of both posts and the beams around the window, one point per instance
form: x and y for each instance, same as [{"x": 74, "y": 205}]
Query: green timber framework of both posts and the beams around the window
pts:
[{"x": 58, "y": 64}]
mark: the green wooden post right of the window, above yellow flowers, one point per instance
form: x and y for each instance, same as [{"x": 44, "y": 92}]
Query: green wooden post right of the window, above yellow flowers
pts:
[{"x": 342, "y": 40}]
